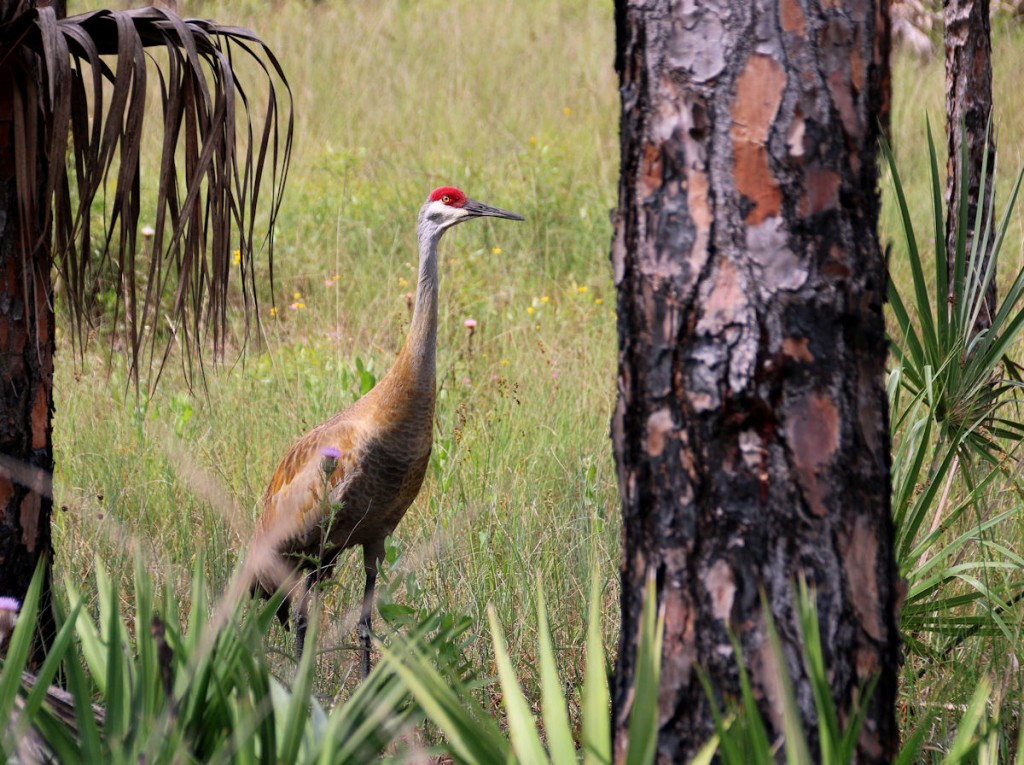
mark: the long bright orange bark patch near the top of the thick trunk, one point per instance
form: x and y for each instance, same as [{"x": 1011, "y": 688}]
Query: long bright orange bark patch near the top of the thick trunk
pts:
[{"x": 759, "y": 94}]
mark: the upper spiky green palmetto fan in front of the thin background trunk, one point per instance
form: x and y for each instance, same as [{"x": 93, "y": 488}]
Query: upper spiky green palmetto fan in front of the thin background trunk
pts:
[{"x": 966, "y": 376}]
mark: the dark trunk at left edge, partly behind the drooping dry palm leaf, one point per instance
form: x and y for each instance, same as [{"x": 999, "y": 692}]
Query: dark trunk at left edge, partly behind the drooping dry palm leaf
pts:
[{"x": 27, "y": 346}]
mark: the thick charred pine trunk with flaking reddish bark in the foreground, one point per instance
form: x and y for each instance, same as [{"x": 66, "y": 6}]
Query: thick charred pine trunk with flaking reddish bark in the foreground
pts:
[{"x": 751, "y": 432}]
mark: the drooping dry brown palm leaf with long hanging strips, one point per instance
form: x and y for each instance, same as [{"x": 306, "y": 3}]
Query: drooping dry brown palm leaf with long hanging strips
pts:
[{"x": 216, "y": 161}]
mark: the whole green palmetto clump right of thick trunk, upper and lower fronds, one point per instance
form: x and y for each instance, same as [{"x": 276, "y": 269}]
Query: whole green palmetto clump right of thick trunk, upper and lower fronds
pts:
[{"x": 955, "y": 397}]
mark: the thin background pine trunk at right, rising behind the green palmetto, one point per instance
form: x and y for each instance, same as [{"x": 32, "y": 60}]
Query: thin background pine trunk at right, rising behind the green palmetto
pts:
[{"x": 969, "y": 109}]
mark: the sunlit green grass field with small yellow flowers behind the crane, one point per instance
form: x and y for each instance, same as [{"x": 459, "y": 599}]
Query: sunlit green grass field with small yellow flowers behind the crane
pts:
[{"x": 517, "y": 104}]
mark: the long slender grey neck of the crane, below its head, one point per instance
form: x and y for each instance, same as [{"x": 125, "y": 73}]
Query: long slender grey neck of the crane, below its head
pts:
[{"x": 418, "y": 358}]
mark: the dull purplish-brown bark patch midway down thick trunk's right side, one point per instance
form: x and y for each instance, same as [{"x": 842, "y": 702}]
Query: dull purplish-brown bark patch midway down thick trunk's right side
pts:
[{"x": 813, "y": 433}]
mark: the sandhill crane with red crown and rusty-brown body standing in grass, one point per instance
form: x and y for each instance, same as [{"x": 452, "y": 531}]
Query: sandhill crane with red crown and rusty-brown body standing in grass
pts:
[{"x": 350, "y": 481}]
